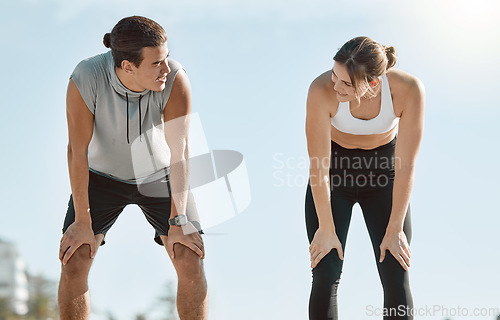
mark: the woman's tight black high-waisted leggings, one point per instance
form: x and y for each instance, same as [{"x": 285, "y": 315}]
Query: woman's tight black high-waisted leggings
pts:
[{"x": 365, "y": 177}]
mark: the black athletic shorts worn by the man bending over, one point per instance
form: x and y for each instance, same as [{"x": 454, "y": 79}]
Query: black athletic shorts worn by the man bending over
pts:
[{"x": 108, "y": 198}]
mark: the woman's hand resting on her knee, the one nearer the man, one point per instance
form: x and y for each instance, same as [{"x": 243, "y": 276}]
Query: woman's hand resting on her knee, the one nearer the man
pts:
[{"x": 323, "y": 242}]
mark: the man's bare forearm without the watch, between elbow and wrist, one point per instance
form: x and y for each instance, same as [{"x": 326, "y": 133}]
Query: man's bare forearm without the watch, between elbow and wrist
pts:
[{"x": 79, "y": 179}]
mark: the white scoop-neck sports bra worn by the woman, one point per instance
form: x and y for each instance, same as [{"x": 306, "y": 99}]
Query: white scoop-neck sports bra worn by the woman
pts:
[{"x": 383, "y": 122}]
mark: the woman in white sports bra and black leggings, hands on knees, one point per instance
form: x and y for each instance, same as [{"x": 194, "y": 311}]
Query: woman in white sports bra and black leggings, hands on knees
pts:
[{"x": 352, "y": 122}]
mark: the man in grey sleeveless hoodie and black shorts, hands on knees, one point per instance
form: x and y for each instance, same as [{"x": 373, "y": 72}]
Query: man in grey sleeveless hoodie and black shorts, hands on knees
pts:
[{"x": 117, "y": 103}]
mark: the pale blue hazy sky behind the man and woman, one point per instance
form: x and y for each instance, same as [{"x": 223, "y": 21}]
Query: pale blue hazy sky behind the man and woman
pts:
[{"x": 250, "y": 64}]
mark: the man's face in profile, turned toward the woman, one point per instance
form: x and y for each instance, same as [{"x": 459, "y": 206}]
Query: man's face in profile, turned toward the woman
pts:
[{"x": 152, "y": 72}]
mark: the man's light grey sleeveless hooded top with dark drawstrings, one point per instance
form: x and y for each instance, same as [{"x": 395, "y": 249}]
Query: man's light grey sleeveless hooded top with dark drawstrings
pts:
[{"x": 128, "y": 142}]
